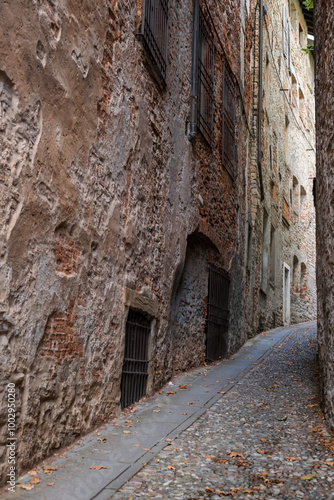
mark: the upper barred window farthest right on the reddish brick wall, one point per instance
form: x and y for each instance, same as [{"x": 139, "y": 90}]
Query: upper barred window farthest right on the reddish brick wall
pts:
[{"x": 229, "y": 151}]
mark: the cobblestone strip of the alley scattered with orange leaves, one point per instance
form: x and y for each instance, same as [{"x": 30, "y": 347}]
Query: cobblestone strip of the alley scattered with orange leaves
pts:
[{"x": 265, "y": 438}]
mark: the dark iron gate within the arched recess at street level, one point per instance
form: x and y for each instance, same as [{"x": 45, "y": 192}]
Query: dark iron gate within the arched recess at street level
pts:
[{"x": 218, "y": 314}]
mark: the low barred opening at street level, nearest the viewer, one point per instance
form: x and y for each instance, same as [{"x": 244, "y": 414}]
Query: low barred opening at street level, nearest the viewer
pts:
[{"x": 135, "y": 366}]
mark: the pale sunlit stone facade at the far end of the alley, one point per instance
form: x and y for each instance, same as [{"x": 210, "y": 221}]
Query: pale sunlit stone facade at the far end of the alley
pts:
[{"x": 282, "y": 228}]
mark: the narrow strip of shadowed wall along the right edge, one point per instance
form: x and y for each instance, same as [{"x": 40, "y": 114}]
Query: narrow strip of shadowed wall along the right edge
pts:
[{"x": 324, "y": 29}]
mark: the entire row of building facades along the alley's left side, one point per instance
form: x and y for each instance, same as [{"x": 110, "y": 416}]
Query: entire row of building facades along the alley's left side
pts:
[{"x": 137, "y": 239}]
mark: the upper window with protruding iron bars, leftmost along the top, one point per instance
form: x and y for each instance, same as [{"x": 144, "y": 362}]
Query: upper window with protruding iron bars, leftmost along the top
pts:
[{"x": 154, "y": 34}]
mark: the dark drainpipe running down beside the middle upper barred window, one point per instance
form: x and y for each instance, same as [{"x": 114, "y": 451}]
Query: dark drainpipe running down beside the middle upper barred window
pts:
[{"x": 194, "y": 67}]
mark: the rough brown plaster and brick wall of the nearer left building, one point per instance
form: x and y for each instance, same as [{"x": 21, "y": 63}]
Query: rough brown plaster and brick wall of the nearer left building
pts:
[{"x": 106, "y": 205}]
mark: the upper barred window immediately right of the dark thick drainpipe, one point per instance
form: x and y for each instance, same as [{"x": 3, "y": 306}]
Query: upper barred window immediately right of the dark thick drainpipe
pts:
[{"x": 205, "y": 74}]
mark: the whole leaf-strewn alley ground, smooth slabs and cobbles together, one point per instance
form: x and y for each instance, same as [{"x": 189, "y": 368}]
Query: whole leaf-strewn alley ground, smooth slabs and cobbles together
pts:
[{"x": 262, "y": 436}]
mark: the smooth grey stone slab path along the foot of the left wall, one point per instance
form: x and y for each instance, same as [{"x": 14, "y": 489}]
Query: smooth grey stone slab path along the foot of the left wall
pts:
[{"x": 130, "y": 445}]
